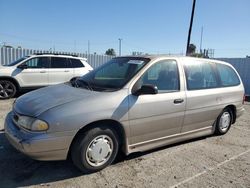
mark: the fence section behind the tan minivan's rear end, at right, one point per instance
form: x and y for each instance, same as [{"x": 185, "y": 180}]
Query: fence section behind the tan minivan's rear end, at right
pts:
[{"x": 242, "y": 65}]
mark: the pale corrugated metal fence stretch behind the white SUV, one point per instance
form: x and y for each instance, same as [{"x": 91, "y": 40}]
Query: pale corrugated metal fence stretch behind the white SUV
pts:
[{"x": 7, "y": 55}]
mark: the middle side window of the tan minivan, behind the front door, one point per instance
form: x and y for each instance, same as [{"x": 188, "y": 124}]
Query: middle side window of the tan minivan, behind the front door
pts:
[{"x": 200, "y": 75}]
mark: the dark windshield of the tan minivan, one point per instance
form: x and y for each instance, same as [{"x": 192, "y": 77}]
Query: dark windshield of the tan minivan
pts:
[{"x": 112, "y": 75}]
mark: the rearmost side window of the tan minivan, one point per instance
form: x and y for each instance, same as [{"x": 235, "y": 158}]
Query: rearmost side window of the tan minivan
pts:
[{"x": 227, "y": 75}]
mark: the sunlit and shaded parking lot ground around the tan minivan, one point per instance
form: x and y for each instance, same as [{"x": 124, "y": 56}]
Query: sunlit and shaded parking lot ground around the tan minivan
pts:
[{"x": 214, "y": 161}]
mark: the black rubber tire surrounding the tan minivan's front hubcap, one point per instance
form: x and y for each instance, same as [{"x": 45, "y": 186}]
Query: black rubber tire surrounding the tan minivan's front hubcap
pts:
[{"x": 81, "y": 143}]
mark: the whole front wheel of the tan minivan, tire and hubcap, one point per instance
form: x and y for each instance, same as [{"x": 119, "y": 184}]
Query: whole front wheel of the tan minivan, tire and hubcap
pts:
[{"x": 95, "y": 149}]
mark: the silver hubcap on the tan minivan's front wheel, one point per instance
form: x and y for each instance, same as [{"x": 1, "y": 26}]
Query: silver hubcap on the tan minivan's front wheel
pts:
[{"x": 99, "y": 150}]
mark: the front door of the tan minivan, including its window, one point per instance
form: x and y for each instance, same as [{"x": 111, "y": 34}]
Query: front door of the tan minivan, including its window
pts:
[{"x": 159, "y": 115}]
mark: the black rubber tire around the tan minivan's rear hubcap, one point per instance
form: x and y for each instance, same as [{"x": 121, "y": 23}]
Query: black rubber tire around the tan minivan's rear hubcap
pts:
[{"x": 218, "y": 129}]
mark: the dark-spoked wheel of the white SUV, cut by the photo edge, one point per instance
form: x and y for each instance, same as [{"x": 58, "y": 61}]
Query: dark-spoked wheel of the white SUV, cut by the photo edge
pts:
[{"x": 7, "y": 89}]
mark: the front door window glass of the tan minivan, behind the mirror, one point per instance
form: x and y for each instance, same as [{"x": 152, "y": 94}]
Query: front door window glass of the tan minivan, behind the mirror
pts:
[{"x": 164, "y": 75}]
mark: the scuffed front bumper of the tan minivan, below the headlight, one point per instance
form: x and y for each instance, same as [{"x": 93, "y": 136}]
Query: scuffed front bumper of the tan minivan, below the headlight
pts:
[{"x": 40, "y": 146}]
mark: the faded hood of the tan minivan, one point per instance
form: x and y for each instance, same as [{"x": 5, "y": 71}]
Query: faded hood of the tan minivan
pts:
[{"x": 38, "y": 101}]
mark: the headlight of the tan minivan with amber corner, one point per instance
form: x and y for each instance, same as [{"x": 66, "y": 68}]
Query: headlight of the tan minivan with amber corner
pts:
[{"x": 32, "y": 124}]
